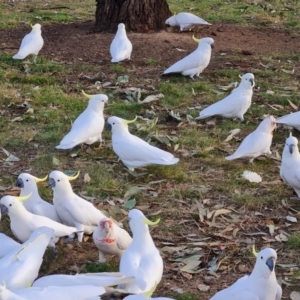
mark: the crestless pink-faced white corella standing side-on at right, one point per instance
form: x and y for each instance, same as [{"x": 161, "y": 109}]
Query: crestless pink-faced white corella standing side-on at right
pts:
[{"x": 257, "y": 142}]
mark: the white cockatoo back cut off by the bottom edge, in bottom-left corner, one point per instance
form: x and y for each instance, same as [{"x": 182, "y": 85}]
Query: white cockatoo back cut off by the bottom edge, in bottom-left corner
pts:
[{"x": 83, "y": 292}]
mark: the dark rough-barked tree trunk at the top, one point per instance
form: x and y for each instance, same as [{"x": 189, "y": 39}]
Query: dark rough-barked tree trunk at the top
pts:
[{"x": 137, "y": 15}]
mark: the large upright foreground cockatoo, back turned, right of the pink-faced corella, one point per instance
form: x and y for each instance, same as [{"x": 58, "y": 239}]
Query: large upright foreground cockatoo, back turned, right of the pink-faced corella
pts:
[{"x": 141, "y": 259}]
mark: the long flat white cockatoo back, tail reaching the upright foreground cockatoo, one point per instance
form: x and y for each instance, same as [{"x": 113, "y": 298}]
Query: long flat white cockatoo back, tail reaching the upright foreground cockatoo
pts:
[{"x": 100, "y": 279}]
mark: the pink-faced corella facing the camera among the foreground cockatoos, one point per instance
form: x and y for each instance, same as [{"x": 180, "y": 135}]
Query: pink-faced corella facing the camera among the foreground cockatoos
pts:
[{"x": 109, "y": 238}]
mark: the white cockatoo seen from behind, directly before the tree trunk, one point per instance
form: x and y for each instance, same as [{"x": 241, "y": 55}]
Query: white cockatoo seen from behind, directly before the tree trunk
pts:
[{"x": 121, "y": 47}]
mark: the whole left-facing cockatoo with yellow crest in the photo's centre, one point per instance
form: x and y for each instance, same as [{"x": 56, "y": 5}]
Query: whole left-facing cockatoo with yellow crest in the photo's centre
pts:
[{"x": 132, "y": 150}]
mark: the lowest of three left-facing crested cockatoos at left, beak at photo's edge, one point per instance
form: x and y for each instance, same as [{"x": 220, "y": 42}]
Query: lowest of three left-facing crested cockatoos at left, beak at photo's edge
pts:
[{"x": 23, "y": 222}]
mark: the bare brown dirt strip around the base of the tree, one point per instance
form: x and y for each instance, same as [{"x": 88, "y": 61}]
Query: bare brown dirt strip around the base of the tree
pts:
[{"x": 77, "y": 42}]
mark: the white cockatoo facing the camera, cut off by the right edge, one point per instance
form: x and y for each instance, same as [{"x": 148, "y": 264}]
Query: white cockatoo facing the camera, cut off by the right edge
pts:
[{"x": 290, "y": 164}]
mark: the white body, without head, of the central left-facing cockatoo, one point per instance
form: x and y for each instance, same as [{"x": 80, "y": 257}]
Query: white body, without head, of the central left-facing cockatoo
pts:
[{"x": 134, "y": 151}]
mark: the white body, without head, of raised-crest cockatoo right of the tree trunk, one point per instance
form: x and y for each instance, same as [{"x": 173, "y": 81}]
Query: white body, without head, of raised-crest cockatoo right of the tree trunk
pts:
[{"x": 196, "y": 59}]
